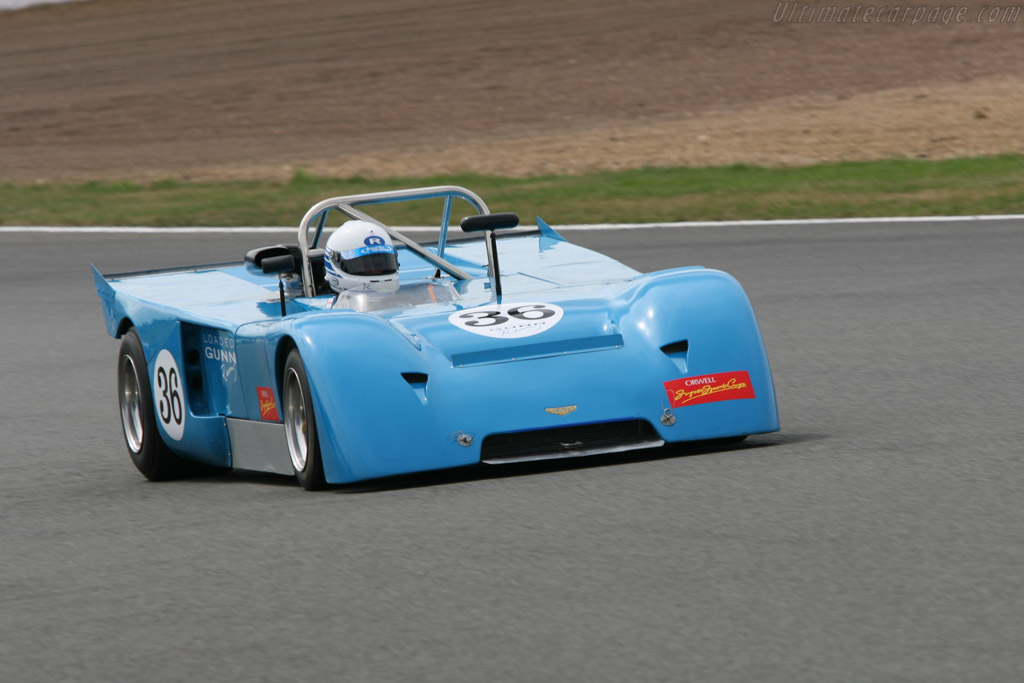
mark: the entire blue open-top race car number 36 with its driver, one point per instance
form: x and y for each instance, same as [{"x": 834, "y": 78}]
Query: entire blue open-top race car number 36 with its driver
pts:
[{"x": 328, "y": 361}]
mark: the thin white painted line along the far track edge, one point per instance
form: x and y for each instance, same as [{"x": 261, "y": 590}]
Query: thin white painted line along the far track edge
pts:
[{"x": 114, "y": 230}]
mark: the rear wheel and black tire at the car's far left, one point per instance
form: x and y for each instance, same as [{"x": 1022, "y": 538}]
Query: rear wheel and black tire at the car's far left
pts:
[{"x": 139, "y": 423}]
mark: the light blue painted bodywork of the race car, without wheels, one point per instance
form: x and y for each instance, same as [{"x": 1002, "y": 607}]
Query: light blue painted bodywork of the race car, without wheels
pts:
[{"x": 578, "y": 339}]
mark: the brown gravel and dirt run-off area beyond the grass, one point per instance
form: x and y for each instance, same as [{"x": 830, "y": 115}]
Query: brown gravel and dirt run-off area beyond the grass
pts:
[{"x": 146, "y": 90}]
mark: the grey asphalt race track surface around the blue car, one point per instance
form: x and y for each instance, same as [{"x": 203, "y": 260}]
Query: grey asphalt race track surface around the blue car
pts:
[{"x": 879, "y": 537}]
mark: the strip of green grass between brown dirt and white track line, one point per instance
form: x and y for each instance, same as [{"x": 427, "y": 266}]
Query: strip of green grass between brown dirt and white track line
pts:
[{"x": 899, "y": 188}]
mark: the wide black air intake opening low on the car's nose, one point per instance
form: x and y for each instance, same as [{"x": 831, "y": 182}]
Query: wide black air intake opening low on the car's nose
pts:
[{"x": 570, "y": 442}]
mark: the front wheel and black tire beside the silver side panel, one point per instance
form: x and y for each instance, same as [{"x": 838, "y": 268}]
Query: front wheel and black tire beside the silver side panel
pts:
[{"x": 301, "y": 424}]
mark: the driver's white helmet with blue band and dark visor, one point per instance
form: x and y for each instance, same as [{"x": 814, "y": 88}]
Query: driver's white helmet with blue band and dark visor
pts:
[{"x": 361, "y": 257}]
